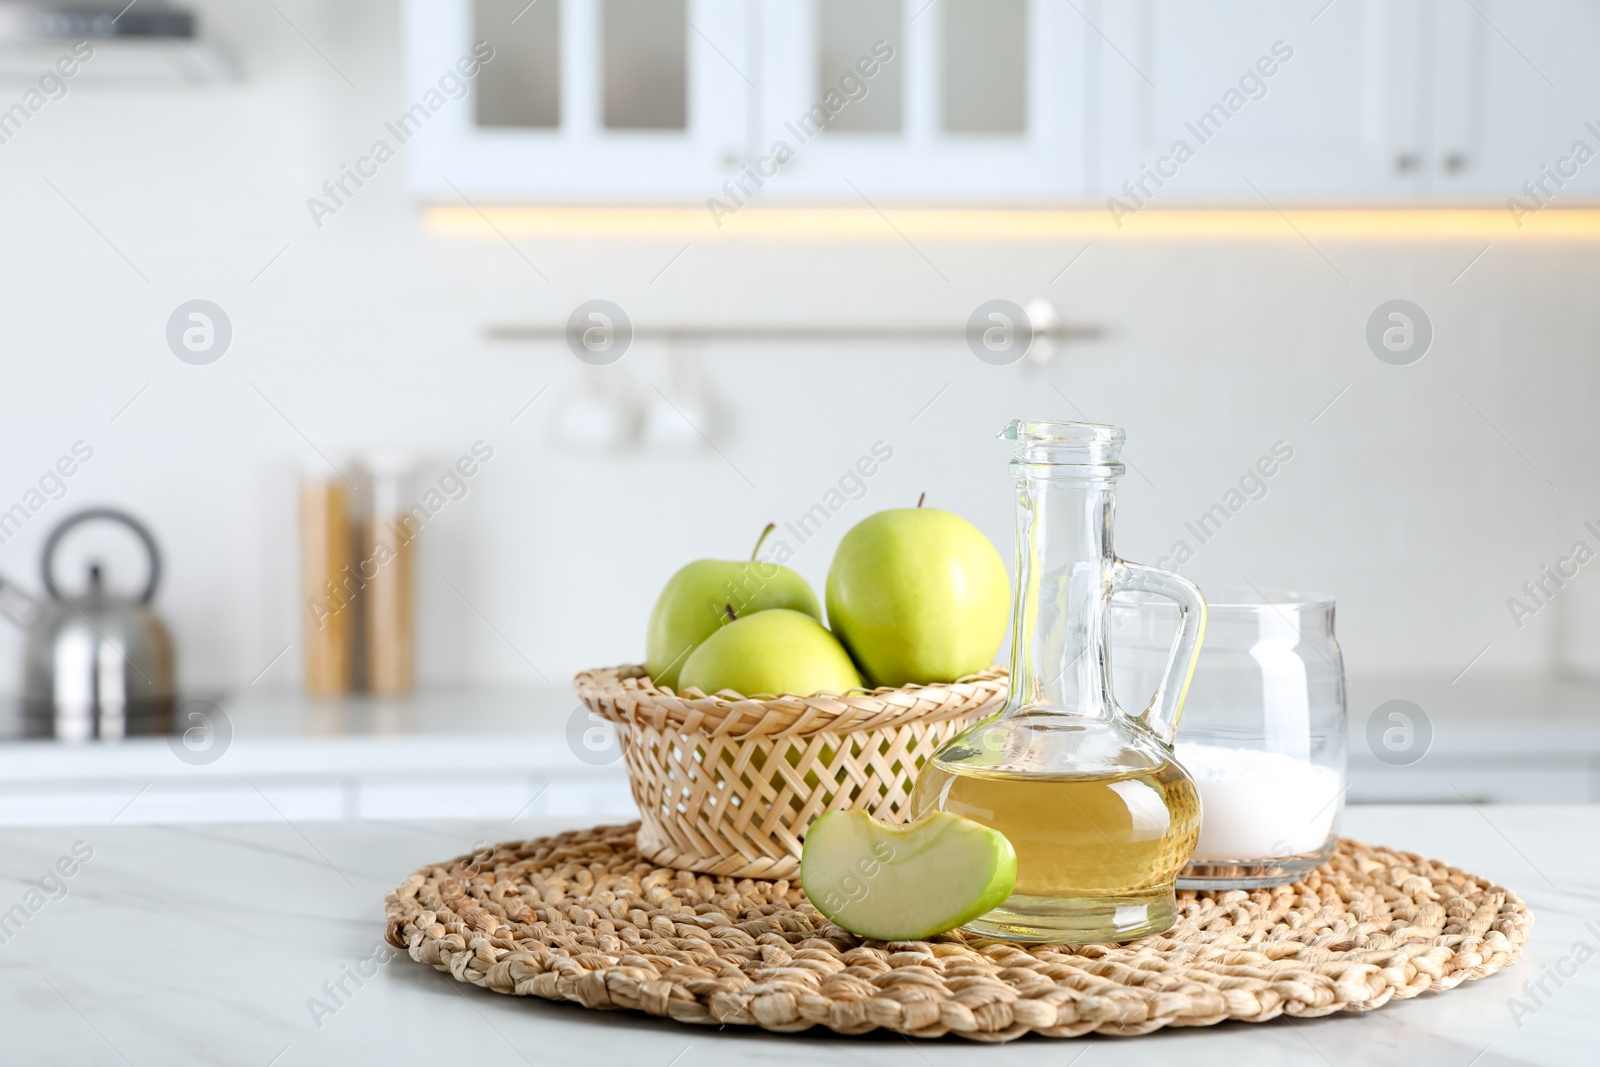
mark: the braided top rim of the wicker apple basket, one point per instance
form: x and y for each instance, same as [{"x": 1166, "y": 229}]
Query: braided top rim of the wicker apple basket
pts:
[{"x": 626, "y": 695}]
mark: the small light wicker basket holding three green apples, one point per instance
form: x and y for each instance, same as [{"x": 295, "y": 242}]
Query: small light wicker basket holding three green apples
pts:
[{"x": 727, "y": 786}]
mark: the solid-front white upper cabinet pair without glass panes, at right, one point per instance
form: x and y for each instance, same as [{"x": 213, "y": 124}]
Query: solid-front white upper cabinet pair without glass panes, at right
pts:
[{"x": 1367, "y": 102}]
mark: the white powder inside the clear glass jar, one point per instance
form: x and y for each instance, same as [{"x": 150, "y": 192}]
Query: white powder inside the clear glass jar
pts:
[{"x": 1258, "y": 805}]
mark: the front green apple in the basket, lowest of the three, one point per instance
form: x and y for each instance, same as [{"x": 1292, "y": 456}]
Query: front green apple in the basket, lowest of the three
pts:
[{"x": 770, "y": 653}]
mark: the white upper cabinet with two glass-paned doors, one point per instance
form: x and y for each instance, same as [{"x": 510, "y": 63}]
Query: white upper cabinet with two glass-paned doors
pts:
[{"x": 730, "y": 102}]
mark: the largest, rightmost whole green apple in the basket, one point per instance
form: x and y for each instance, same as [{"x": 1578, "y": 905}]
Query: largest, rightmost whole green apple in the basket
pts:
[{"x": 918, "y": 596}]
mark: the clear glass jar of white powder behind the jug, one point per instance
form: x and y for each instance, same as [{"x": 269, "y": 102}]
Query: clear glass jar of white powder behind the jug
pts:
[{"x": 1263, "y": 732}]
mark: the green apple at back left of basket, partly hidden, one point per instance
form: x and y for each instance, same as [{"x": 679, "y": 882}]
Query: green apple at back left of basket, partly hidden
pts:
[{"x": 698, "y": 601}]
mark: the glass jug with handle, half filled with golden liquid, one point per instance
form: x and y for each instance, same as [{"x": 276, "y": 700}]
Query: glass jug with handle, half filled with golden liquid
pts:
[{"x": 1102, "y": 815}]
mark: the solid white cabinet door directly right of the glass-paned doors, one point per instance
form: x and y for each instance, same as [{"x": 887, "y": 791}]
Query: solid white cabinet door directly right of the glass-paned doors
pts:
[{"x": 1234, "y": 102}]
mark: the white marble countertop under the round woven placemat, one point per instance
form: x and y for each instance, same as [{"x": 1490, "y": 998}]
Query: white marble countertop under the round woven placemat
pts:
[{"x": 204, "y": 945}]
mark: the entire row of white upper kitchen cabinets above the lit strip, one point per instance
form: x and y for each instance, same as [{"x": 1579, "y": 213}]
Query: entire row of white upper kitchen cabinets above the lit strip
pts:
[{"x": 1118, "y": 103}]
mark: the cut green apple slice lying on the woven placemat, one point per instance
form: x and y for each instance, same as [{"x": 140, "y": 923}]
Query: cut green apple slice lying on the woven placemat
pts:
[{"x": 905, "y": 882}]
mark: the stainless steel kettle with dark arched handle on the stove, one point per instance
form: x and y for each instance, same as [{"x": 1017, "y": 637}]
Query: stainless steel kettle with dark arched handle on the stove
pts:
[{"x": 97, "y": 665}]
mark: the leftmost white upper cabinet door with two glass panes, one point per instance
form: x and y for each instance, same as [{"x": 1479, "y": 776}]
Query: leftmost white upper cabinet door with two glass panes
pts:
[{"x": 583, "y": 100}]
